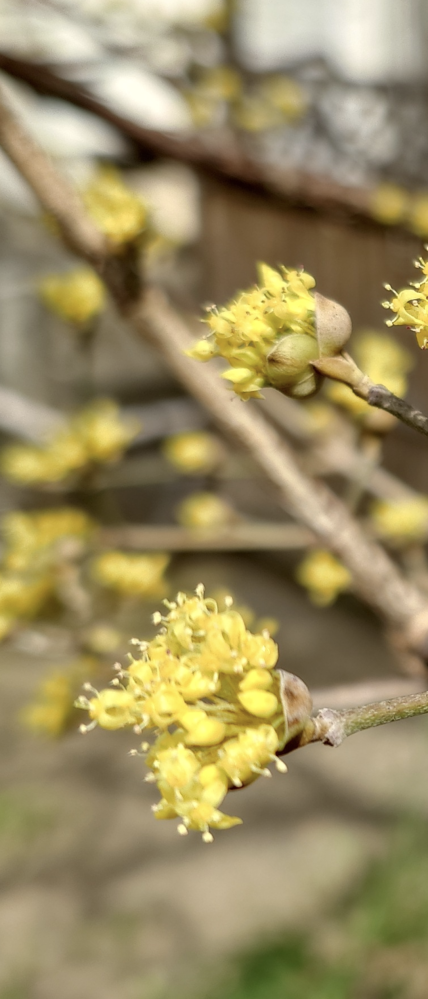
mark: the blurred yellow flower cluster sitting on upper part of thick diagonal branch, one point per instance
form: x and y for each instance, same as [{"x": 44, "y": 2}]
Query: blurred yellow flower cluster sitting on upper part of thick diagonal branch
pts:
[{"x": 117, "y": 211}]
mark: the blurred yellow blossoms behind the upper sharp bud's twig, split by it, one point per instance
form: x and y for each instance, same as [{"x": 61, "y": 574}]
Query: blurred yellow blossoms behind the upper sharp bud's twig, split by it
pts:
[{"x": 387, "y": 363}]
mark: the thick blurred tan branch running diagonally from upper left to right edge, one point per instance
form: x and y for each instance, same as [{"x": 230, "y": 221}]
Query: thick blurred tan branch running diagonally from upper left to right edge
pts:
[{"x": 376, "y": 578}]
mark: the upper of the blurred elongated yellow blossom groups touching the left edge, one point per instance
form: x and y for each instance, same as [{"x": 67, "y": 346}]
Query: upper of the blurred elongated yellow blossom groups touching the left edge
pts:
[{"x": 93, "y": 436}]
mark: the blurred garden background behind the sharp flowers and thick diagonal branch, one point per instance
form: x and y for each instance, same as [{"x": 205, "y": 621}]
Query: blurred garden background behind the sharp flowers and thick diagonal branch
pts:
[{"x": 296, "y": 133}]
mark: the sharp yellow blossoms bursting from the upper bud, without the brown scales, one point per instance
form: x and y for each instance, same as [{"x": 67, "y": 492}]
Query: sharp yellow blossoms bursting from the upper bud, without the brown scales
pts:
[{"x": 247, "y": 329}]
